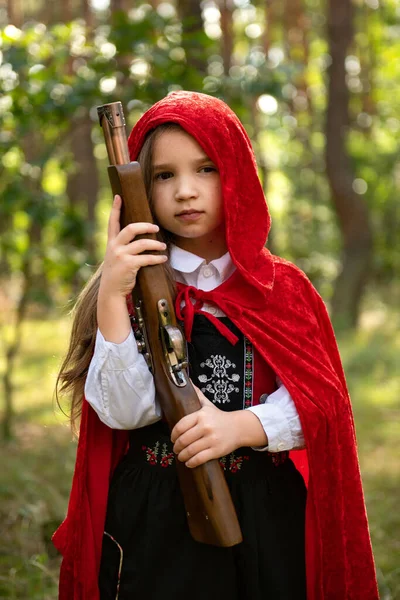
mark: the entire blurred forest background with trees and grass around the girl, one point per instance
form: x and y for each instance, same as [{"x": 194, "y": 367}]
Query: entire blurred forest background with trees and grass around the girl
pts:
[{"x": 317, "y": 86}]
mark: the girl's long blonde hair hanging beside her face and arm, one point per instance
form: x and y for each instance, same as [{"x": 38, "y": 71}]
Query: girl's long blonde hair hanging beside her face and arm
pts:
[{"x": 72, "y": 375}]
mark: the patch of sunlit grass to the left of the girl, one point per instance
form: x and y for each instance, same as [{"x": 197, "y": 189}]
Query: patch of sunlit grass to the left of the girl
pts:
[{"x": 36, "y": 474}]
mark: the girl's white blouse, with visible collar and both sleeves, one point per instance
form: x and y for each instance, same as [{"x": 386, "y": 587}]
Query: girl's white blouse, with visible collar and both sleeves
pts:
[{"x": 120, "y": 387}]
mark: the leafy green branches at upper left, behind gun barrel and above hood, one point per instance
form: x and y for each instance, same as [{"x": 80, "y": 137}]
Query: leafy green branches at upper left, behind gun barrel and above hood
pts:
[{"x": 52, "y": 76}]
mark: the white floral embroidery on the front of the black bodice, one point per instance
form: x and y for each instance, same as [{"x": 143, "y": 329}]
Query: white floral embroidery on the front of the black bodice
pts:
[{"x": 219, "y": 384}]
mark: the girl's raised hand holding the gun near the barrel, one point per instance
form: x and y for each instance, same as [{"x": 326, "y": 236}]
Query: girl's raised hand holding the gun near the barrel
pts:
[{"x": 123, "y": 257}]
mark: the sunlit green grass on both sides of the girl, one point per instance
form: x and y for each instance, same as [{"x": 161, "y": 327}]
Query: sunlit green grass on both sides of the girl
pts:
[{"x": 37, "y": 466}]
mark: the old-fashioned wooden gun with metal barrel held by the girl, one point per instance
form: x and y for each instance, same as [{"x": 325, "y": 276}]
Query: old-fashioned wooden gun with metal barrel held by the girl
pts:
[{"x": 209, "y": 508}]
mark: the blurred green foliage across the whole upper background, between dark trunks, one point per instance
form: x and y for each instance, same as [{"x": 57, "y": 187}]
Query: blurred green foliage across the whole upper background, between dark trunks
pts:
[{"x": 50, "y": 76}]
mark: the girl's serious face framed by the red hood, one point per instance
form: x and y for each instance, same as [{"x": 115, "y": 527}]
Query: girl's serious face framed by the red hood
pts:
[{"x": 186, "y": 194}]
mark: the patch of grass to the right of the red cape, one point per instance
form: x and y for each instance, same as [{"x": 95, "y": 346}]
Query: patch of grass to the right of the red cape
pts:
[{"x": 371, "y": 360}]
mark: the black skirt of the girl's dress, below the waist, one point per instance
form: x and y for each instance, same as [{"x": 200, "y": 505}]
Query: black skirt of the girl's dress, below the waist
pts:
[{"x": 148, "y": 552}]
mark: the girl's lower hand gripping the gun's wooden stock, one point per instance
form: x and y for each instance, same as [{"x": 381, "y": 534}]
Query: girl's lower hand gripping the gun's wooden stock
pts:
[{"x": 205, "y": 434}]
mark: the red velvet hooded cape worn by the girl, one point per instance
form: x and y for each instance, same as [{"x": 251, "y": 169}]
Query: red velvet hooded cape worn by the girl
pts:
[{"x": 277, "y": 308}]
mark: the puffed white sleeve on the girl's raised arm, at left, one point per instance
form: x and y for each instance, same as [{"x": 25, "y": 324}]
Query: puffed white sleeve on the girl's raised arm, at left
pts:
[{"x": 119, "y": 385}]
